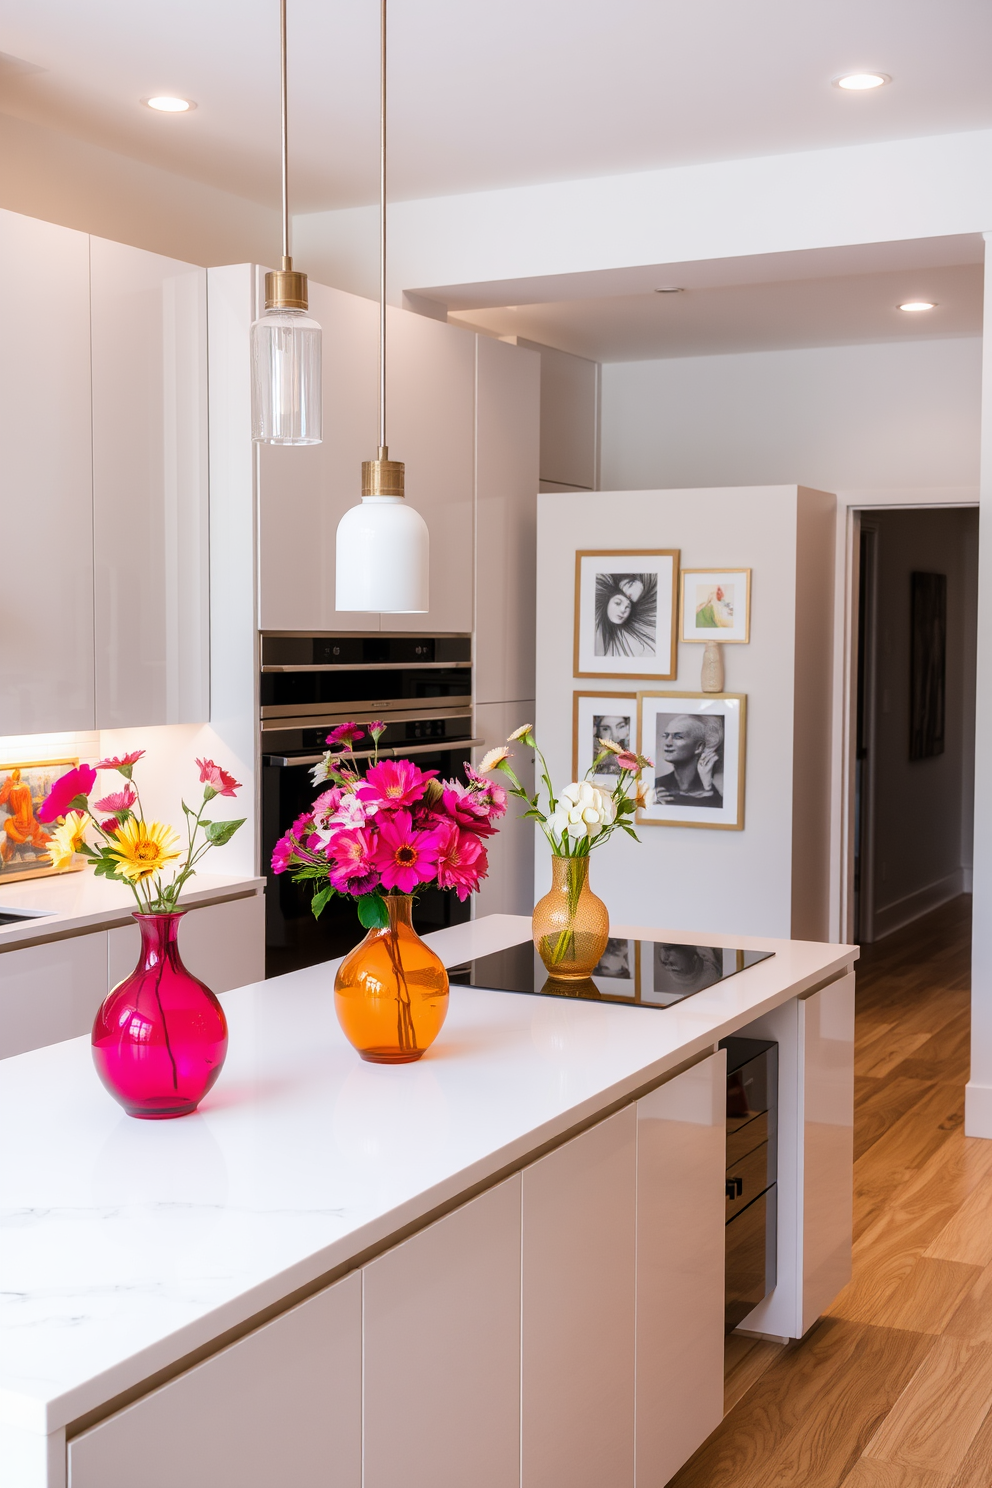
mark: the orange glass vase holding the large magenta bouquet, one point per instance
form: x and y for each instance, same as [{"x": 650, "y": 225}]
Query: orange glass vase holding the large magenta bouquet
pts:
[{"x": 392, "y": 992}]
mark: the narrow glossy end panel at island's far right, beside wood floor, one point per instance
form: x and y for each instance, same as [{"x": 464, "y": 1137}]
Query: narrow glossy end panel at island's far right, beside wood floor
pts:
[{"x": 826, "y": 1039}]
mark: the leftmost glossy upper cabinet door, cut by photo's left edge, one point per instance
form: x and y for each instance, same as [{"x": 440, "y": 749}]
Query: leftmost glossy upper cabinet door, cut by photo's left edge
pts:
[{"x": 47, "y": 655}]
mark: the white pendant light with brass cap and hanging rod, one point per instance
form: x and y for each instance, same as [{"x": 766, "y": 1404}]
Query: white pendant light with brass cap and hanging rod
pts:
[{"x": 383, "y": 544}]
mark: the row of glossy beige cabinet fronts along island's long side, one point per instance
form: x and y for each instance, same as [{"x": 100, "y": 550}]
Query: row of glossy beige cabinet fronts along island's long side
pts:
[{"x": 564, "y": 1330}]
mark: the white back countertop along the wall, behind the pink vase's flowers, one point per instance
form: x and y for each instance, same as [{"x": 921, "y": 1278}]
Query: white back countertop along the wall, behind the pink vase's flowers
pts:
[{"x": 72, "y": 904}]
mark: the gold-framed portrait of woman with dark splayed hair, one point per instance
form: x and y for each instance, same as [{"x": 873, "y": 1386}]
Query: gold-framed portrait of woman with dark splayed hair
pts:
[{"x": 627, "y": 614}]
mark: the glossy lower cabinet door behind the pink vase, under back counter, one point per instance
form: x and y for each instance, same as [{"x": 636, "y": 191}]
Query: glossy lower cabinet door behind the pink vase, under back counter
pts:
[{"x": 222, "y": 944}]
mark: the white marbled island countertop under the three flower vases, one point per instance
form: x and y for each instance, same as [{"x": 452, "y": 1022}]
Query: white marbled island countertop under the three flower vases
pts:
[{"x": 127, "y": 1245}]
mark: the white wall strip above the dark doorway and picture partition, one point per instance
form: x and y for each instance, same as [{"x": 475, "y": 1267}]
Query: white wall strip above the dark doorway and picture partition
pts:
[{"x": 886, "y": 416}]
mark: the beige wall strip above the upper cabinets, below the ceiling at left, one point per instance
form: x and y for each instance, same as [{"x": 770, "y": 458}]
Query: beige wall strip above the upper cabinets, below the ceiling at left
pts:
[{"x": 51, "y": 176}]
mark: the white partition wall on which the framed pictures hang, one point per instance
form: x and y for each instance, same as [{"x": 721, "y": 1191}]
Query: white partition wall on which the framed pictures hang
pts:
[{"x": 685, "y": 877}]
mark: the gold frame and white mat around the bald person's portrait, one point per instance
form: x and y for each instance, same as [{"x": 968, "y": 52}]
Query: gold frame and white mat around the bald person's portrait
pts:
[{"x": 727, "y": 813}]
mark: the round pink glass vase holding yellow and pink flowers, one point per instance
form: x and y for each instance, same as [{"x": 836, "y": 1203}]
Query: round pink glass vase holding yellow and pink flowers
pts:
[{"x": 160, "y": 1039}]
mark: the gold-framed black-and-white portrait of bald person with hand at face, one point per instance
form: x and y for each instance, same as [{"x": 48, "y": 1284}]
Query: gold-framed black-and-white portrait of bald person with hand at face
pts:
[{"x": 698, "y": 745}]
